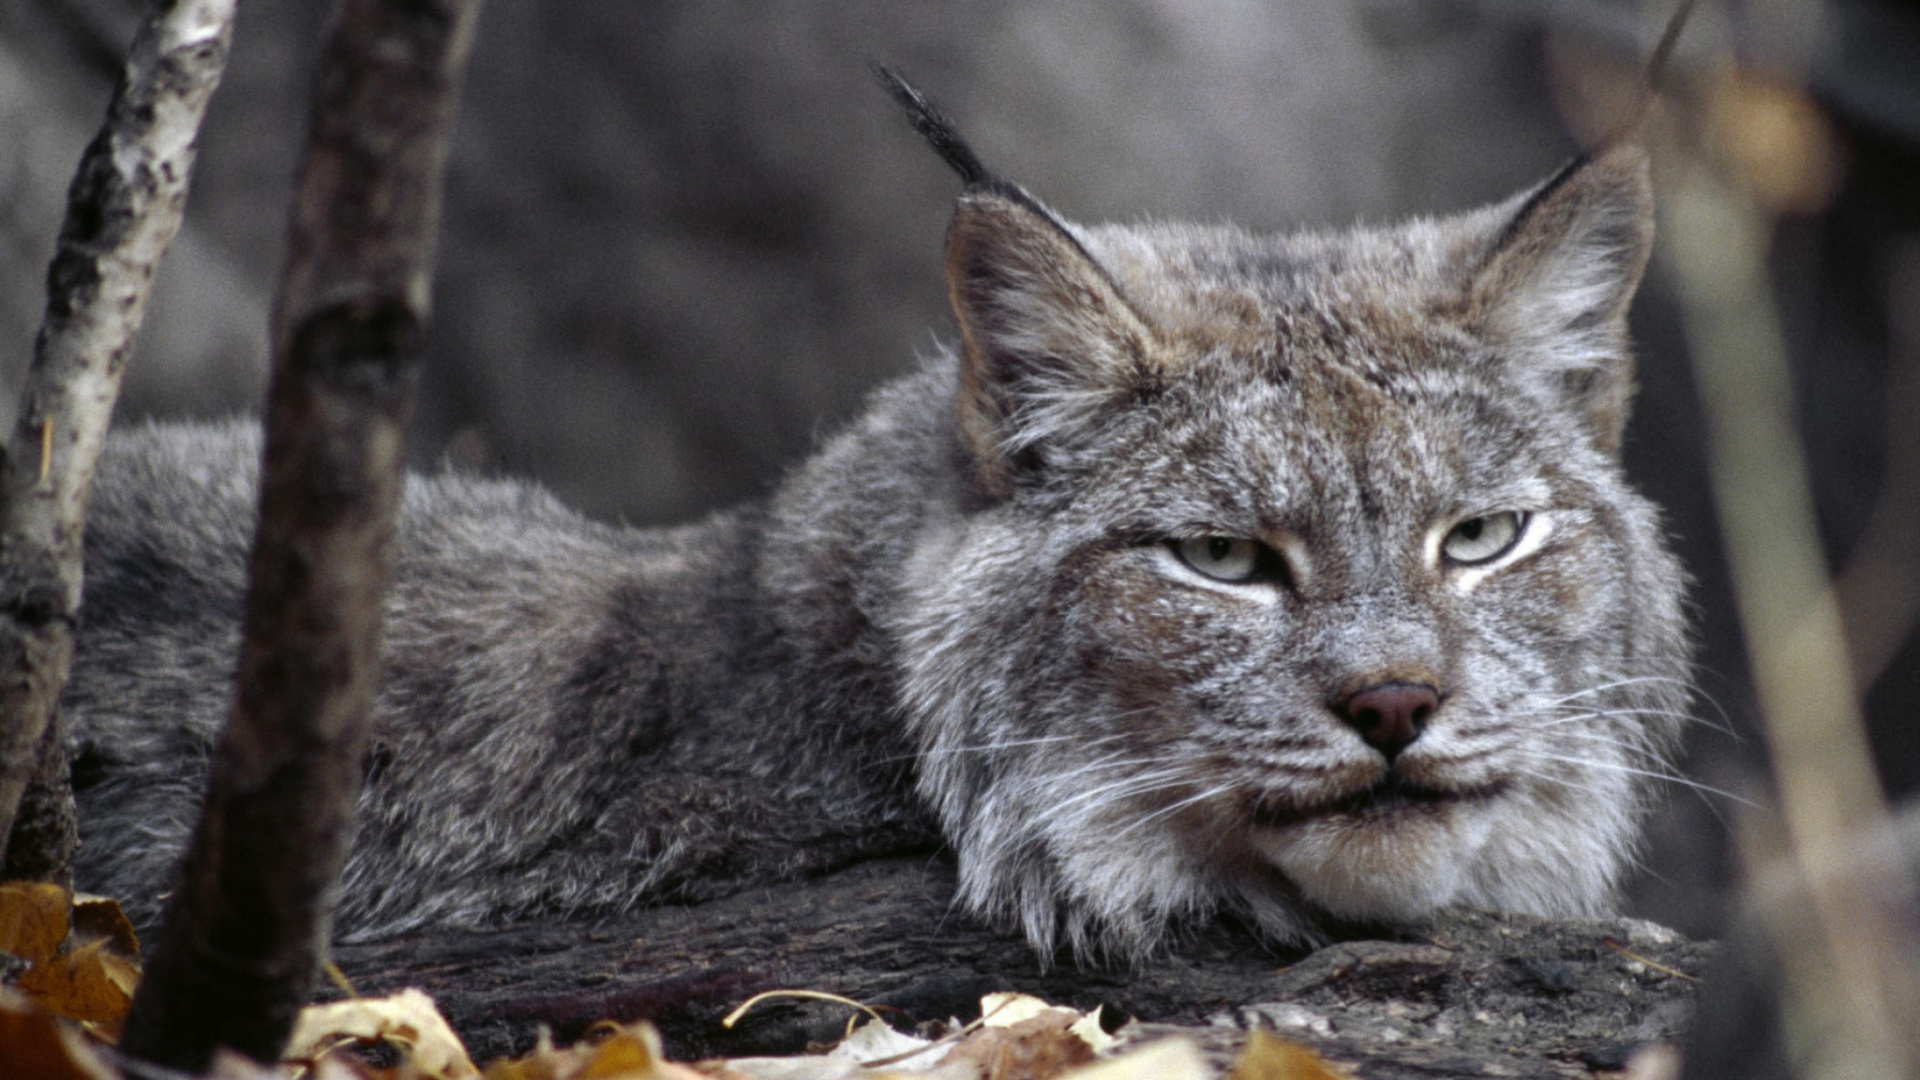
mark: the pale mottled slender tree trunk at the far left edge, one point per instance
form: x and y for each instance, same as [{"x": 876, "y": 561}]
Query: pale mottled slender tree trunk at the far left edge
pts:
[{"x": 124, "y": 209}]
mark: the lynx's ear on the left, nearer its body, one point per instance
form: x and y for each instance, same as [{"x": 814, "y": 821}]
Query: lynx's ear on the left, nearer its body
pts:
[{"x": 1047, "y": 339}]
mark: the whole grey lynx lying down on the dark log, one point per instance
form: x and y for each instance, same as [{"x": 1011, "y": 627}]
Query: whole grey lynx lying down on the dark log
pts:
[{"x": 1289, "y": 576}]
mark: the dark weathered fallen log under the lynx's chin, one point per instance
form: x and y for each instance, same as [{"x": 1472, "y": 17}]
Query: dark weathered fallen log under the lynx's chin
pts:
[{"x": 1474, "y": 994}]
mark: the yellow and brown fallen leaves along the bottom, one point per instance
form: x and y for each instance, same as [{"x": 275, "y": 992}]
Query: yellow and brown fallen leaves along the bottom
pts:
[{"x": 76, "y": 964}]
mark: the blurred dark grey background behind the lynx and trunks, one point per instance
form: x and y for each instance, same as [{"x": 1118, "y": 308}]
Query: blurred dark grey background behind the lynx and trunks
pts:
[{"x": 686, "y": 237}]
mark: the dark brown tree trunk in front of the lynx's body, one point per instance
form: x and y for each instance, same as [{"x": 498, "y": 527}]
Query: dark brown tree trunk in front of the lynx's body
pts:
[{"x": 249, "y": 921}]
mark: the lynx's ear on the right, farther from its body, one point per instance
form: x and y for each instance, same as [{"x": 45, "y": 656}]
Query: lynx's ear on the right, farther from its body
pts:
[{"x": 1558, "y": 278}]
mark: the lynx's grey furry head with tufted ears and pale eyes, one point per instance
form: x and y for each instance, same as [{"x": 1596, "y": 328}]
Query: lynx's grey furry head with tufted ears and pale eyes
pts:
[{"x": 1299, "y": 576}]
